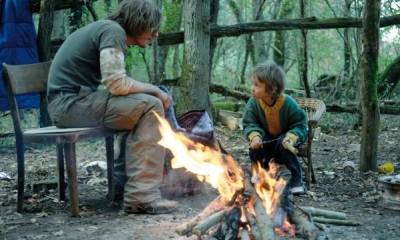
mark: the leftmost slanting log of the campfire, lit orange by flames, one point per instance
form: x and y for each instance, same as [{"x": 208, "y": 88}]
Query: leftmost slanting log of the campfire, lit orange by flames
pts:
[{"x": 215, "y": 206}]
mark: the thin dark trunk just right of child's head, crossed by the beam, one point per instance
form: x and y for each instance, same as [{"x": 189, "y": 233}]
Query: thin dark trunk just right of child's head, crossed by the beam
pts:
[{"x": 303, "y": 55}]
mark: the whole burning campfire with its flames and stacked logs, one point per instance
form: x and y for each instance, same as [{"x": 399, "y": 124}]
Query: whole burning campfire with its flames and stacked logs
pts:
[{"x": 252, "y": 203}]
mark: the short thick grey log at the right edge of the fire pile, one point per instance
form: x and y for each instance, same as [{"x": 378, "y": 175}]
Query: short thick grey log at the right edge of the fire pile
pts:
[{"x": 303, "y": 225}]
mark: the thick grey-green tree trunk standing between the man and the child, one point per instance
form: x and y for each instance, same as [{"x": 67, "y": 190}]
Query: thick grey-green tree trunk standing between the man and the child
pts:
[{"x": 195, "y": 77}]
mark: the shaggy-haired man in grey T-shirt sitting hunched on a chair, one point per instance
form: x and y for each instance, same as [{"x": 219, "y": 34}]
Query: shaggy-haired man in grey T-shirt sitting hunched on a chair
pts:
[{"x": 94, "y": 55}]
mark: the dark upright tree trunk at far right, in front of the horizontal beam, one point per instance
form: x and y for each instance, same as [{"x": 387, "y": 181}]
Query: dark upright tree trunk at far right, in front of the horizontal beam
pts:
[{"x": 369, "y": 95}]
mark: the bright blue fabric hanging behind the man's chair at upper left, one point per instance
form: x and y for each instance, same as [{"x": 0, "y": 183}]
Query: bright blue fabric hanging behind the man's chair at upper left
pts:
[{"x": 17, "y": 45}]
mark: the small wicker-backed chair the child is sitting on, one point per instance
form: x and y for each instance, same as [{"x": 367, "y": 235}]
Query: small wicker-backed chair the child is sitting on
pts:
[{"x": 314, "y": 109}]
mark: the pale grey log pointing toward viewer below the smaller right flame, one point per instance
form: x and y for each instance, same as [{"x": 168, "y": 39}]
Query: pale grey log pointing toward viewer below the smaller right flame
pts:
[{"x": 264, "y": 223}]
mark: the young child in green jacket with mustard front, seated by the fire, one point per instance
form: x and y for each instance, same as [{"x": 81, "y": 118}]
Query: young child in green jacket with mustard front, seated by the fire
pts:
[{"x": 274, "y": 123}]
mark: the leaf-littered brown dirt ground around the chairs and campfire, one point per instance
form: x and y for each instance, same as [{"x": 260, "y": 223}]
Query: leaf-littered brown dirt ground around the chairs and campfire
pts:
[{"x": 358, "y": 195}]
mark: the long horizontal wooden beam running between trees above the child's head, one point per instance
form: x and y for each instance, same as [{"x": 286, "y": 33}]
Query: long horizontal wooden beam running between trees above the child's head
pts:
[{"x": 286, "y": 24}]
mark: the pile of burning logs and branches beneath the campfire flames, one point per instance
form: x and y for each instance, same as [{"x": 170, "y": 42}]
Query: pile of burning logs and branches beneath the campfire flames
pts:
[{"x": 244, "y": 217}]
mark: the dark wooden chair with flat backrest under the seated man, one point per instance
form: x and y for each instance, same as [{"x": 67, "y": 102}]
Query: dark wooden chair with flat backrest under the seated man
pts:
[{"x": 20, "y": 79}]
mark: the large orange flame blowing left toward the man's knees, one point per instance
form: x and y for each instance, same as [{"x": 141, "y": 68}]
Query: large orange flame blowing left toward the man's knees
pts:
[{"x": 221, "y": 171}]
